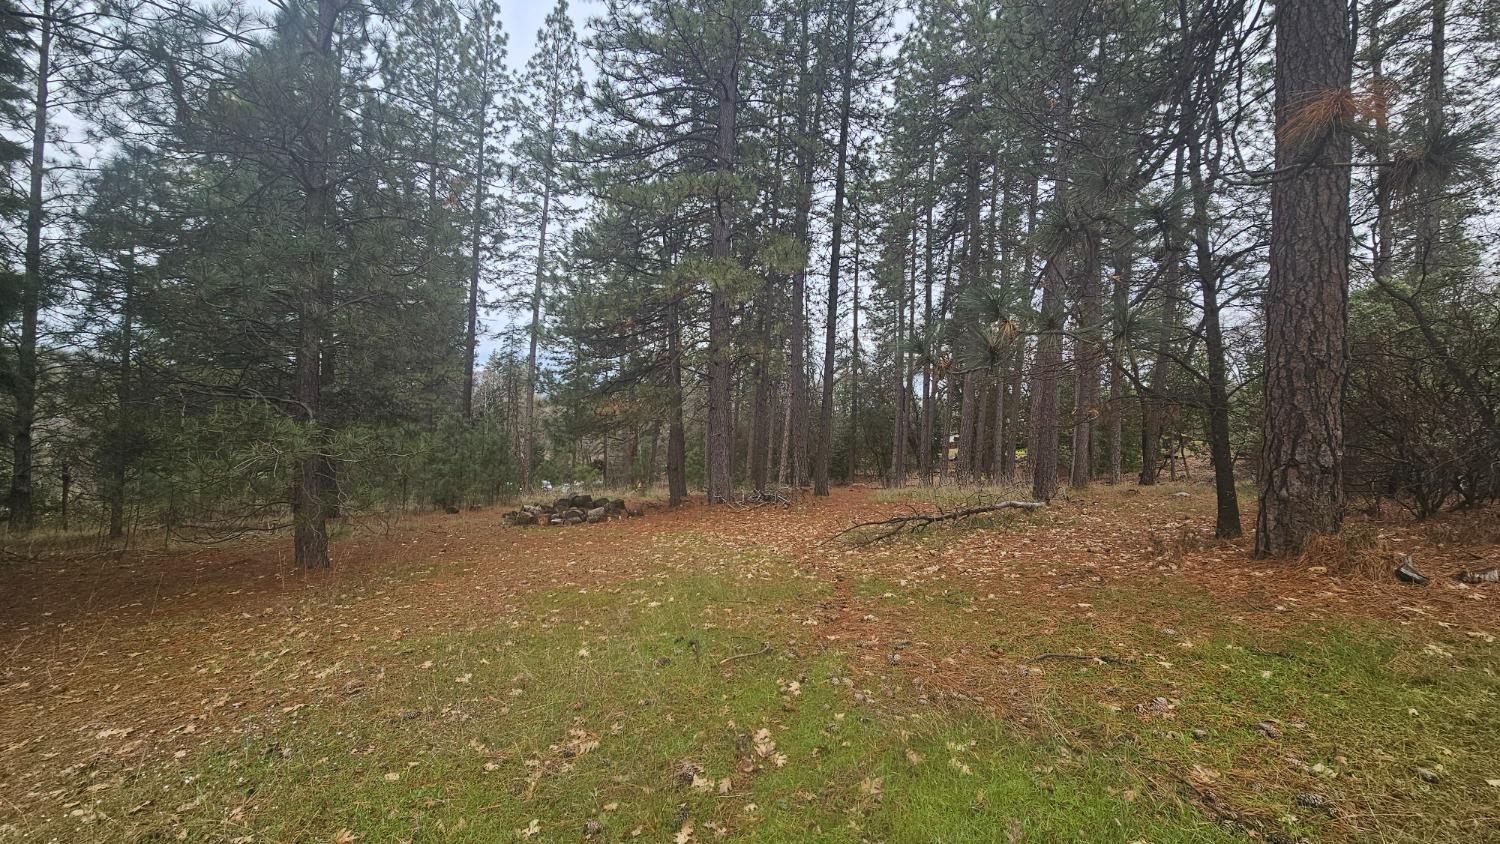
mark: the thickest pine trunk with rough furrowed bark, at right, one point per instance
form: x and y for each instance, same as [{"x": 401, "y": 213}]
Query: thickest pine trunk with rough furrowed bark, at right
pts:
[{"x": 1303, "y": 435}]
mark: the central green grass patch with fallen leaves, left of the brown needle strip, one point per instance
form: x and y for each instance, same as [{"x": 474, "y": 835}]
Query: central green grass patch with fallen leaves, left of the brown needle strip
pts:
[{"x": 590, "y": 708}]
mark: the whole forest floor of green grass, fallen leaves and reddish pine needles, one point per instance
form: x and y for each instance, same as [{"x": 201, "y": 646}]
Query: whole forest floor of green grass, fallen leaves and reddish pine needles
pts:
[{"x": 1099, "y": 671}]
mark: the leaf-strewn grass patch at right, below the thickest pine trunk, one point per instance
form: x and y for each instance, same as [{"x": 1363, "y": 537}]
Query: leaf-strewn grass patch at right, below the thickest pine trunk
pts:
[{"x": 1357, "y": 708}]
